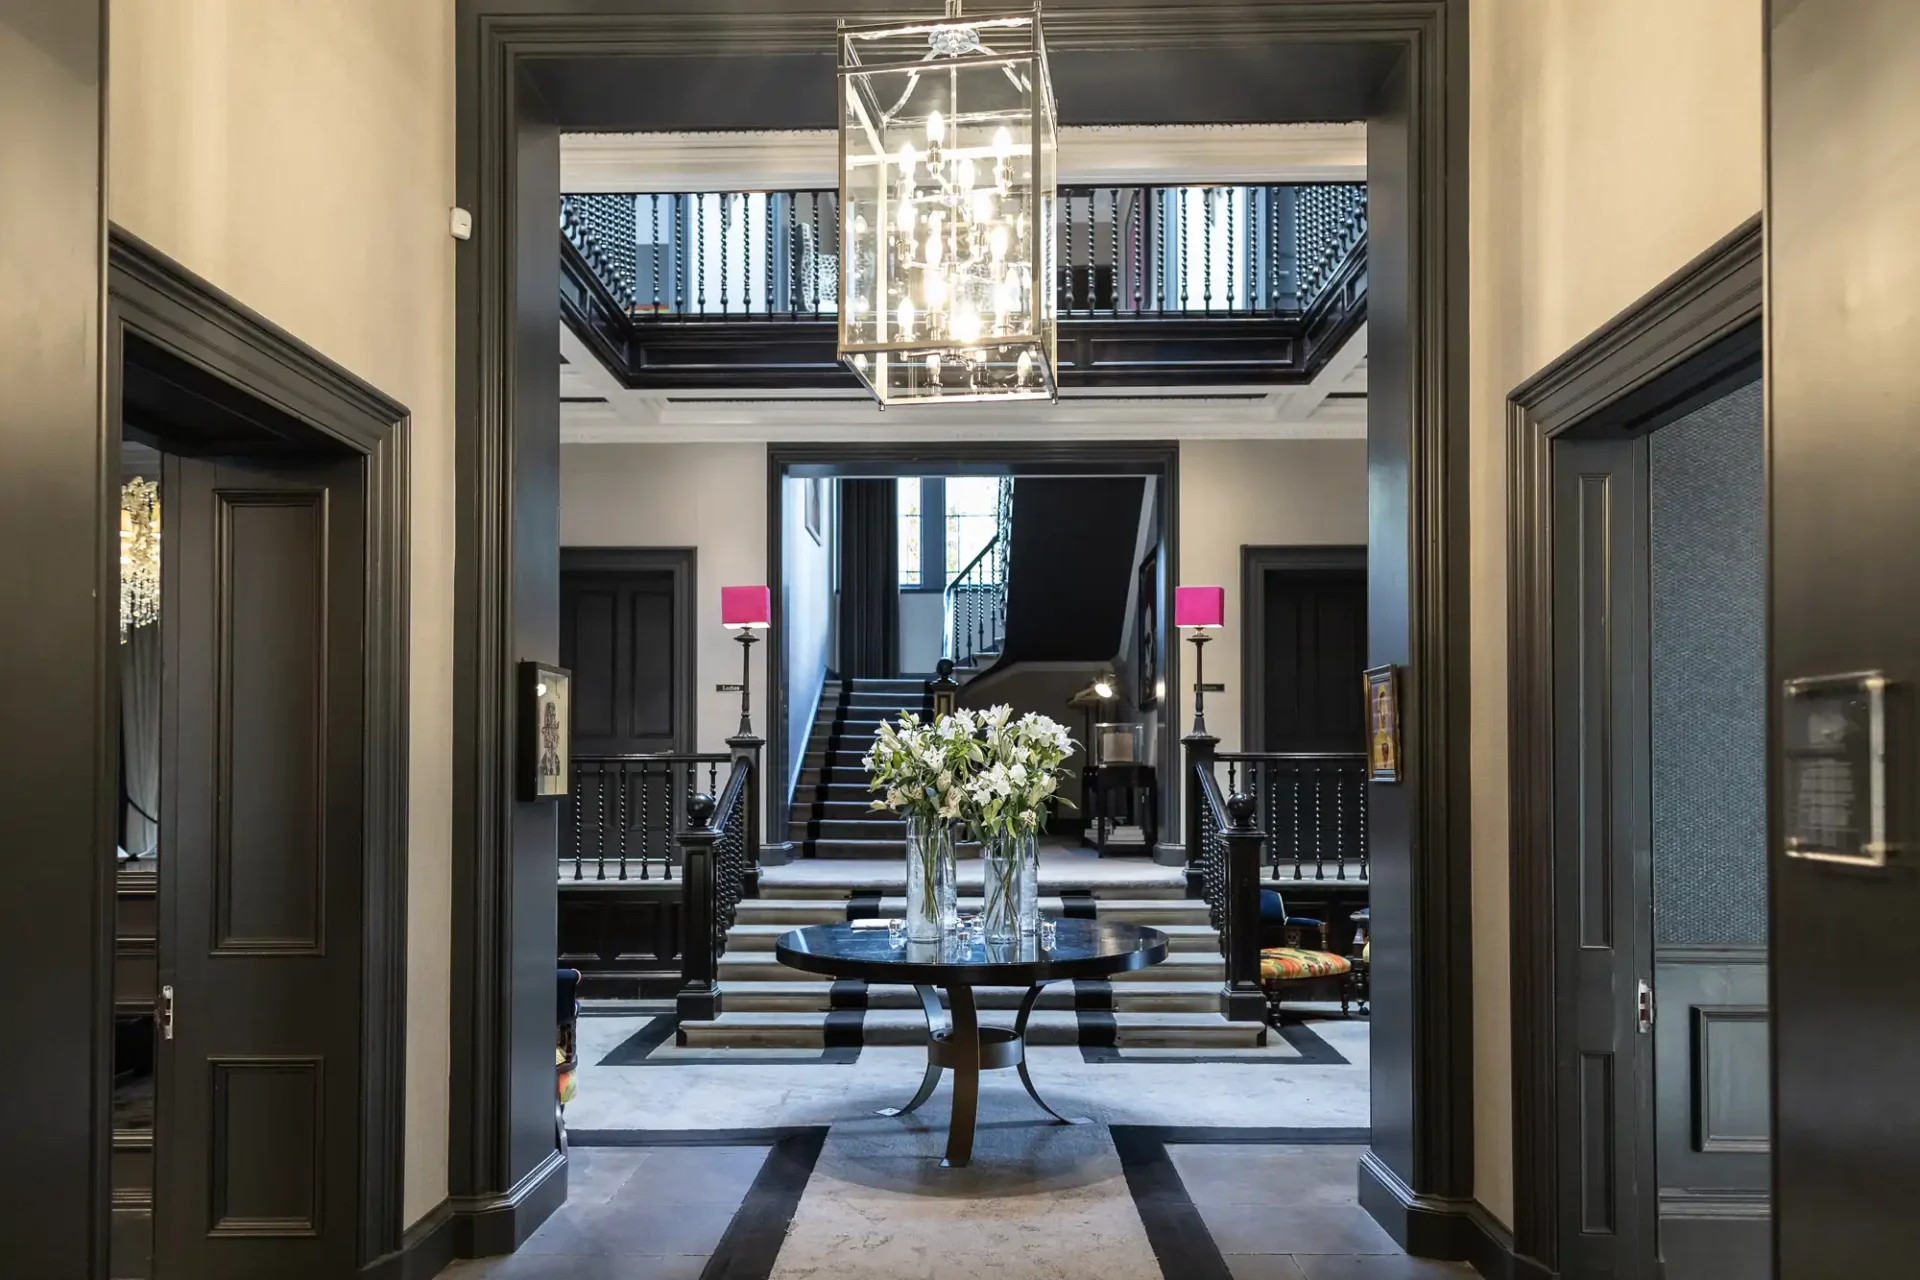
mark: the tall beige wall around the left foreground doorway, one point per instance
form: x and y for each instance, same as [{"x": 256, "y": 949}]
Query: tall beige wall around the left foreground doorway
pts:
[{"x": 300, "y": 156}]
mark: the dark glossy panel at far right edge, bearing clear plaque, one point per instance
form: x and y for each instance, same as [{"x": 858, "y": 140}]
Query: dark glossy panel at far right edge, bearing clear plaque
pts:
[{"x": 1844, "y": 475}]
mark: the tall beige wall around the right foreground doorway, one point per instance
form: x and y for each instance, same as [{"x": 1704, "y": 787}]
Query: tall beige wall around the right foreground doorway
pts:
[{"x": 1610, "y": 145}]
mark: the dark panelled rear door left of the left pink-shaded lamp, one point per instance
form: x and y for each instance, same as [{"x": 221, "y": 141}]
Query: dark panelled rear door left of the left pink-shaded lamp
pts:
[{"x": 619, "y": 638}]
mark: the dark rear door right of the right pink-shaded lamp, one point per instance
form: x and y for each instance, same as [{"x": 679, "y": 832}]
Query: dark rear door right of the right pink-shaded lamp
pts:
[{"x": 1314, "y": 653}]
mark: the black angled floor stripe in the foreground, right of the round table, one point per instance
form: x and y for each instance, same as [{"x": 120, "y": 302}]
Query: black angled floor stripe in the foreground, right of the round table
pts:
[{"x": 1182, "y": 1243}]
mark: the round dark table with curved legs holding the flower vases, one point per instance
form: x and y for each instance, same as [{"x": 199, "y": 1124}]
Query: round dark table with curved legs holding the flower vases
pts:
[{"x": 1084, "y": 949}]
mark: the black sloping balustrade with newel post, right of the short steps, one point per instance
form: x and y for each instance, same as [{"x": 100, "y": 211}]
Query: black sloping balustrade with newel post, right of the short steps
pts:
[{"x": 1228, "y": 859}]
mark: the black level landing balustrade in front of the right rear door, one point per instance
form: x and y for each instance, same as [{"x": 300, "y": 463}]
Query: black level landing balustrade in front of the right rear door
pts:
[{"x": 1312, "y": 809}]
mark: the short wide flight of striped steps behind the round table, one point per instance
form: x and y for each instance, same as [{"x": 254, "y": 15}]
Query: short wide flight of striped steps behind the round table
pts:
[{"x": 765, "y": 1005}]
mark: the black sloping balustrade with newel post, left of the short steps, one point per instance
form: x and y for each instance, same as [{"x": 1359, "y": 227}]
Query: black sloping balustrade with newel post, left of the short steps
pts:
[{"x": 721, "y": 865}]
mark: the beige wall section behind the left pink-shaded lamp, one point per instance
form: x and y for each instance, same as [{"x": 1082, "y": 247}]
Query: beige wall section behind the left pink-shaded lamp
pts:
[{"x": 709, "y": 498}]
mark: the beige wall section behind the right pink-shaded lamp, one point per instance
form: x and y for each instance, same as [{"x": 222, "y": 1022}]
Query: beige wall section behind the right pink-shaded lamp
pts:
[{"x": 1255, "y": 494}]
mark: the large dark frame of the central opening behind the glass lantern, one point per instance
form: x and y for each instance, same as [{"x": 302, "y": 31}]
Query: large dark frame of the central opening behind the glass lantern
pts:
[{"x": 531, "y": 68}]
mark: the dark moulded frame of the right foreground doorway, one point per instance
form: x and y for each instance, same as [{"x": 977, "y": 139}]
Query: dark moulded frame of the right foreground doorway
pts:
[{"x": 1681, "y": 346}]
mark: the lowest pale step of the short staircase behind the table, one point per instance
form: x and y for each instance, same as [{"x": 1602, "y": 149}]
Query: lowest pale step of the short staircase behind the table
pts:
[{"x": 909, "y": 1028}]
